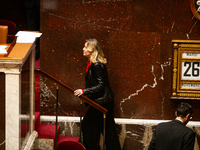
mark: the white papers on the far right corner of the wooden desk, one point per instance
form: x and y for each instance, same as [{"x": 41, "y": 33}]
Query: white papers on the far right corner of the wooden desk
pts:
[{"x": 27, "y": 37}]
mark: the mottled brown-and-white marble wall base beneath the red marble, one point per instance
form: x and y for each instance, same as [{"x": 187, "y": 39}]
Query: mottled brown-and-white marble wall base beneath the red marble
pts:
[{"x": 136, "y": 136}]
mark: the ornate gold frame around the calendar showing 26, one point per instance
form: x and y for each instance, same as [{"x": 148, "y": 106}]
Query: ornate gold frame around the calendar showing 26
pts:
[{"x": 178, "y": 48}]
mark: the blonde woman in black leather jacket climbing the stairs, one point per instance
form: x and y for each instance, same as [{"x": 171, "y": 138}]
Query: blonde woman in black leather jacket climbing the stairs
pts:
[{"x": 98, "y": 90}]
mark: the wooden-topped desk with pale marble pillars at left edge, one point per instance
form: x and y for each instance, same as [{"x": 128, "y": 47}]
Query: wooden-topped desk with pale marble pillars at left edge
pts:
[{"x": 11, "y": 64}]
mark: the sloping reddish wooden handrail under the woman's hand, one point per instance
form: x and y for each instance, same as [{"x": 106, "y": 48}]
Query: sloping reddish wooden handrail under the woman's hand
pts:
[{"x": 84, "y": 98}]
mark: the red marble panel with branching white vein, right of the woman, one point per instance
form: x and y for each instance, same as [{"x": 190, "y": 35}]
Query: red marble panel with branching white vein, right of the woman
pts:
[{"x": 135, "y": 69}]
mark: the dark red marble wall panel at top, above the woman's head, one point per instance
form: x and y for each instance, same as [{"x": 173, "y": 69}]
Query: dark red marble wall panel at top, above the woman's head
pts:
[{"x": 89, "y": 16}]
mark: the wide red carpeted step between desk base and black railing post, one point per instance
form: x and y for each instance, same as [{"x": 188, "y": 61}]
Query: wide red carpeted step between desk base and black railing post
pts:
[{"x": 48, "y": 131}]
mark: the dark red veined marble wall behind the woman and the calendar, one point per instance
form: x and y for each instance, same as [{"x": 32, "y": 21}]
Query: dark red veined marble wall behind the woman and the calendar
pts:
[{"x": 136, "y": 38}]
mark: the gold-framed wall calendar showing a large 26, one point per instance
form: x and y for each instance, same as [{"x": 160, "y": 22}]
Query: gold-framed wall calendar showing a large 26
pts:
[{"x": 186, "y": 69}]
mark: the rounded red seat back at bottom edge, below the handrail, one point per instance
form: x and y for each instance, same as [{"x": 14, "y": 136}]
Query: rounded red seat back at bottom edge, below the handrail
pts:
[{"x": 70, "y": 145}]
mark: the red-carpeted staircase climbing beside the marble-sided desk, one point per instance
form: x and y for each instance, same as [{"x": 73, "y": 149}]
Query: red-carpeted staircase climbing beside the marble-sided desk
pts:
[{"x": 46, "y": 131}]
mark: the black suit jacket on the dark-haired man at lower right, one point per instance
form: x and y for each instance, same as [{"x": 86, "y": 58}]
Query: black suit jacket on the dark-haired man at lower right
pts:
[{"x": 173, "y": 135}]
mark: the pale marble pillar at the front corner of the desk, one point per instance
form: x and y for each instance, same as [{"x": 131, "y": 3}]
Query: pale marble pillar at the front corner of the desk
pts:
[{"x": 13, "y": 109}]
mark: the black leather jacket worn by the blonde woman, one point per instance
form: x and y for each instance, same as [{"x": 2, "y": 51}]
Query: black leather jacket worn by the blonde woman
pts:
[{"x": 97, "y": 84}]
